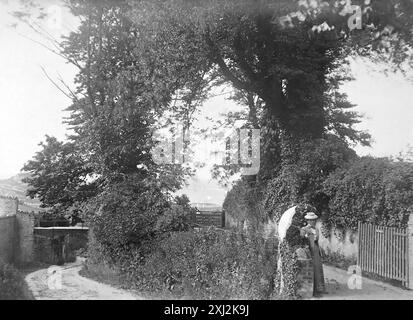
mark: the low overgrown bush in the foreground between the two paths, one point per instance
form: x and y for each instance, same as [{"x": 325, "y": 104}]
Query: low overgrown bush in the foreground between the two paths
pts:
[{"x": 204, "y": 264}]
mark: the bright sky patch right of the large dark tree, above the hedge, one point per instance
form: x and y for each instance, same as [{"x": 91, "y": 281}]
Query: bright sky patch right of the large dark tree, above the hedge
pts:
[{"x": 387, "y": 105}]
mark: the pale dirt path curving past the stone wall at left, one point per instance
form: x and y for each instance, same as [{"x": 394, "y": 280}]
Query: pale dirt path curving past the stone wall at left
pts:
[{"x": 73, "y": 286}]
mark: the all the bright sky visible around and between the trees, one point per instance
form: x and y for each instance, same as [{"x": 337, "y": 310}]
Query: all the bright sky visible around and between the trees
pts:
[{"x": 31, "y": 107}]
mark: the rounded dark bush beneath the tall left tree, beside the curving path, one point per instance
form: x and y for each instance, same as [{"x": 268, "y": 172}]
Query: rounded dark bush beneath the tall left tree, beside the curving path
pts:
[{"x": 126, "y": 213}]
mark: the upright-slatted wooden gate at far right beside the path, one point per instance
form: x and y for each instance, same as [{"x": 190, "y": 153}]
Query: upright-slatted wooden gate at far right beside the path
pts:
[{"x": 384, "y": 251}]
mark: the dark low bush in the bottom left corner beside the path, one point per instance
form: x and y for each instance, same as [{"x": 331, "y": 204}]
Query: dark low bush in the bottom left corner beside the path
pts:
[{"x": 12, "y": 284}]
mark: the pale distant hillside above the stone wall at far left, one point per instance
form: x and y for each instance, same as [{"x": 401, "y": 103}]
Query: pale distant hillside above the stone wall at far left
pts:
[{"x": 14, "y": 187}]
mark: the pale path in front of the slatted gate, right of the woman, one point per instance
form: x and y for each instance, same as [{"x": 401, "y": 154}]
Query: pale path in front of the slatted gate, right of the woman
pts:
[{"x": 336, "y": 280}]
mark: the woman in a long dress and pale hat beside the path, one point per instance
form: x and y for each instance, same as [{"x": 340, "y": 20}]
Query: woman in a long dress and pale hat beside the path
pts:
[{"x": 312, "y": 234}]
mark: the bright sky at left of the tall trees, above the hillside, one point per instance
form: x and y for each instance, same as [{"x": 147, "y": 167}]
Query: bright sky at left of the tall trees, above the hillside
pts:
[{"x": 30, "y": 106}]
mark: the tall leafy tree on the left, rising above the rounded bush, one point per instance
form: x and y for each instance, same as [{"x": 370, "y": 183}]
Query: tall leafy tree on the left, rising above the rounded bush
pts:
[{"x": 120, "y": 96}]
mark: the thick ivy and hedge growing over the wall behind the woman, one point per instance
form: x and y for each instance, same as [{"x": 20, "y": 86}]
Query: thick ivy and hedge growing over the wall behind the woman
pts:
[{"x": 343, "y": 189}]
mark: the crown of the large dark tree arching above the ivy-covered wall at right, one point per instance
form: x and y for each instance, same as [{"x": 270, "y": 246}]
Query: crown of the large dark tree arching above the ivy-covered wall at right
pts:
[{"x": 285, "y": 60}]
